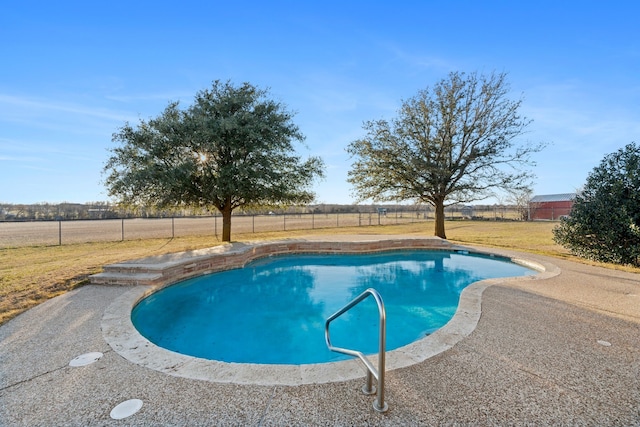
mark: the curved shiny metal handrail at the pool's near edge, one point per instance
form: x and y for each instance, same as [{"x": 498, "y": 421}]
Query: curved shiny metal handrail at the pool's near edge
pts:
[{"x": 379, "y": 404}]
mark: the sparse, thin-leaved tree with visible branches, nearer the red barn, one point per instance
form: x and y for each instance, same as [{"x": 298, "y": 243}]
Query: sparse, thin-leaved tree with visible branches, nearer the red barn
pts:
[{"x": 453, "y": 143}]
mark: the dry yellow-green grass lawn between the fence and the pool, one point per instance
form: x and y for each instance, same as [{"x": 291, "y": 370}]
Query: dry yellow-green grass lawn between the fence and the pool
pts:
[{"x": 31, "y": 275}]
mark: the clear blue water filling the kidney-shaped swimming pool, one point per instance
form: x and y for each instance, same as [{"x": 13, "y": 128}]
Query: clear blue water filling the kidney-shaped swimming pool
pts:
[{"x": 274, "y": 309}]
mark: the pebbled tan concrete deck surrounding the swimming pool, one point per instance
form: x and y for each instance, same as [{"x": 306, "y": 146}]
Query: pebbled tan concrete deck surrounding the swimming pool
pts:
[{"x": 564, "y": 350}]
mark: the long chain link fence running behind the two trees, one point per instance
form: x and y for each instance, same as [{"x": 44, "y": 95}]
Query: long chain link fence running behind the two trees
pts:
[{"x": 61, "y": 232}]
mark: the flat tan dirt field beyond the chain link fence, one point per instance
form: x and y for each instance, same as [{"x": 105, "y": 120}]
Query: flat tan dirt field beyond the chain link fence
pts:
[{"x": 49, "y": 233}]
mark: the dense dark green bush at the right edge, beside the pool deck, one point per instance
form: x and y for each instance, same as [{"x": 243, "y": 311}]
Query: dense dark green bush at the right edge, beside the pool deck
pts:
[{"x": 604, "y": 224}]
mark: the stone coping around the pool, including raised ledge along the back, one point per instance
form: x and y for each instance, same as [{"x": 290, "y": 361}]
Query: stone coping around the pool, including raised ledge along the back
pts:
[{"x": 120, "y": 333}]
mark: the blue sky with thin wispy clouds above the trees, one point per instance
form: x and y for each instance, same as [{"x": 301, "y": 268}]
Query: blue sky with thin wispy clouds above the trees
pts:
[{"x": 73, "y": 72}]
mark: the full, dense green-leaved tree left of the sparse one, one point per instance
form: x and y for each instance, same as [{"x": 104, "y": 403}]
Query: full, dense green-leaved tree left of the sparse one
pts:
[{"x": 233, "y": 147}]
